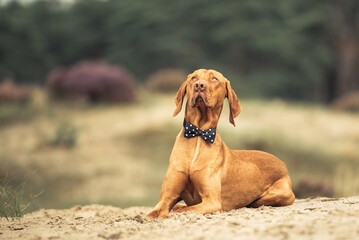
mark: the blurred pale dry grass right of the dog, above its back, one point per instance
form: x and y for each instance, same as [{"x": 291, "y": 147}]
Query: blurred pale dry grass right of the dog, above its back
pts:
[{"x": 316, "y": 143}]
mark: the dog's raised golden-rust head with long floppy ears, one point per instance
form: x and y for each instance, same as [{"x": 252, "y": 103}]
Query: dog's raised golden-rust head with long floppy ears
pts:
[{"x": 207, "y": 89}]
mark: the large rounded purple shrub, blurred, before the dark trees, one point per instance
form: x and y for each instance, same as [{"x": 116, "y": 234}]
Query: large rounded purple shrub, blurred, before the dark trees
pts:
[{"x": 92, "y": 81}]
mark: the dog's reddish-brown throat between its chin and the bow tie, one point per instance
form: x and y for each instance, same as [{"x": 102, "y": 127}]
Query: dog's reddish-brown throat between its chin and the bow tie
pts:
[{"x": 203, "y": 117}]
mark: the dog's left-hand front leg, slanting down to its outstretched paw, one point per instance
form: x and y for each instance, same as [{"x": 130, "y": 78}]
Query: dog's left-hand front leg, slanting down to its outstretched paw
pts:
[{"x": 172, "y": 187}]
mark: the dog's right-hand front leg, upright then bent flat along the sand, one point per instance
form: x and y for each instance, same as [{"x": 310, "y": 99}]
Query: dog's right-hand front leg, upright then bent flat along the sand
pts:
[{"x": 209, "y": 189}]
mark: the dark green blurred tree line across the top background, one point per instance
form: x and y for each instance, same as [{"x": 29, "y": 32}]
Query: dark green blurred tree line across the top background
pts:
[{"x": 273, "y": 48}]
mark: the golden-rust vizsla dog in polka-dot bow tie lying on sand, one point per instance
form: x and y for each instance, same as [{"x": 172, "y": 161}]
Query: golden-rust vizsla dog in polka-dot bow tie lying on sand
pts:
[{"x": 203, "y": 171}]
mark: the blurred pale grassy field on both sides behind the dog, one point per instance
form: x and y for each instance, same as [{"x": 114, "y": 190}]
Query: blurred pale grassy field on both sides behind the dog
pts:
[{"x": 117, "y": 154}]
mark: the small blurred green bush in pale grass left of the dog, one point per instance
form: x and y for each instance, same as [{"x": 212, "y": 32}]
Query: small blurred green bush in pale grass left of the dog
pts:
[{"x": 65, "y": 136}]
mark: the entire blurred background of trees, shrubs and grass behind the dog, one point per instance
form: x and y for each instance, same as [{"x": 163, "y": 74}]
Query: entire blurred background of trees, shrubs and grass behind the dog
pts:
[{"x": 285, "y": 59}]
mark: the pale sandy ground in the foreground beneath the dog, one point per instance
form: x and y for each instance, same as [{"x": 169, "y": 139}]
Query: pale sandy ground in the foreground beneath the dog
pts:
[{"x": 320, "y": 218}]
